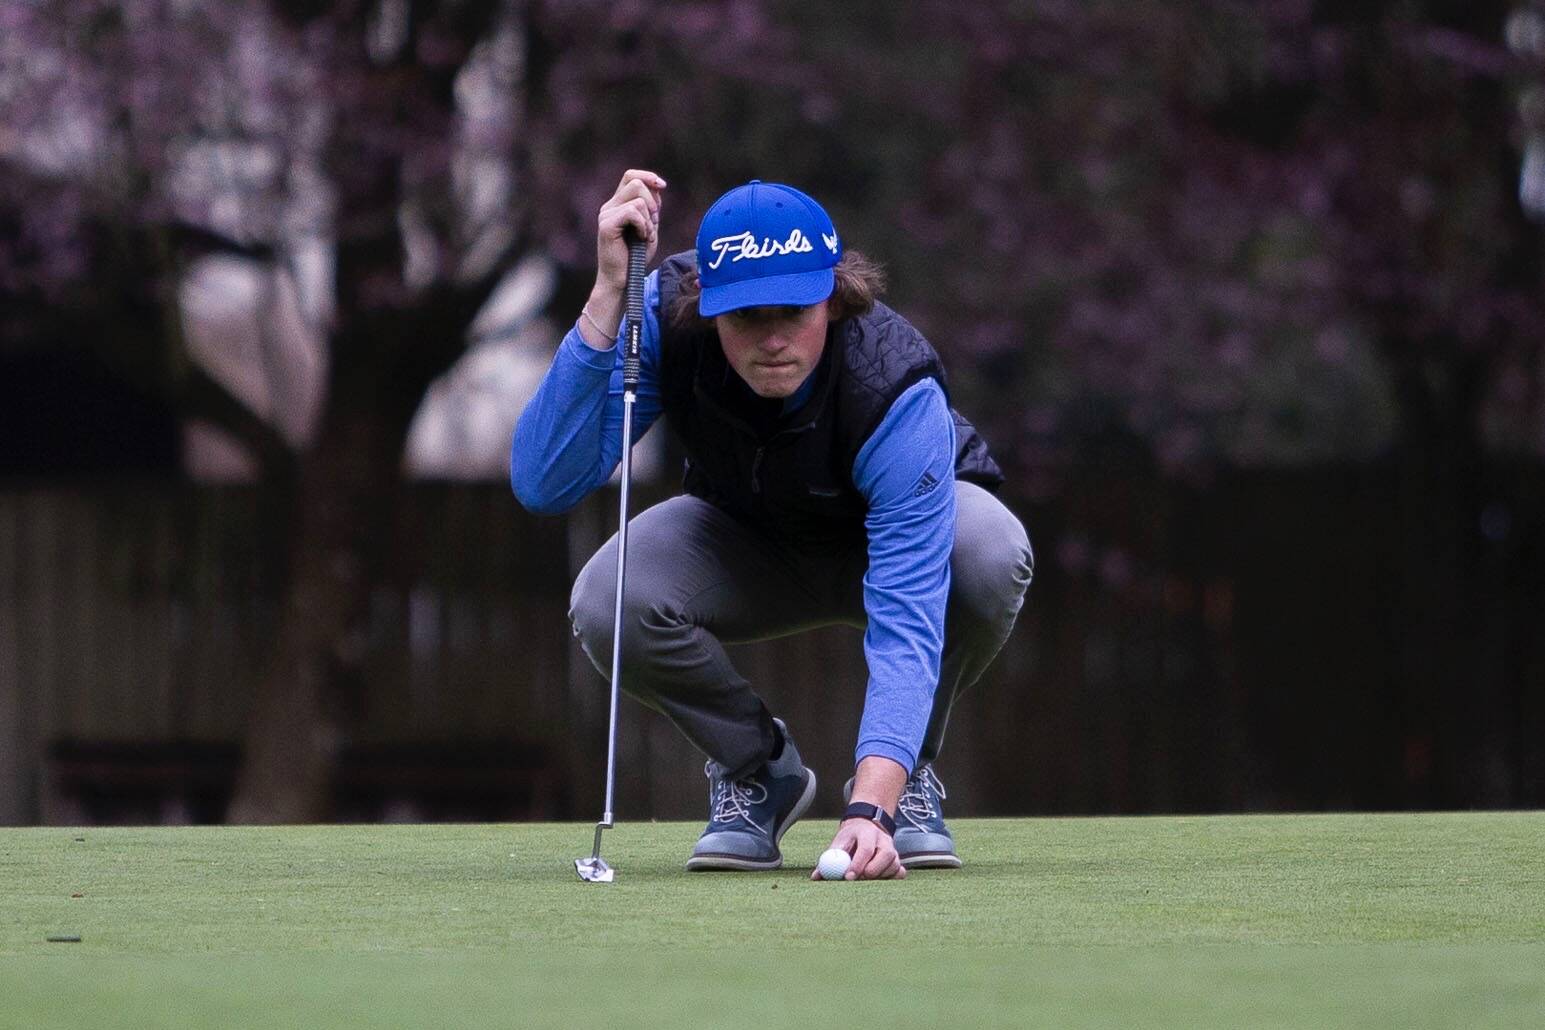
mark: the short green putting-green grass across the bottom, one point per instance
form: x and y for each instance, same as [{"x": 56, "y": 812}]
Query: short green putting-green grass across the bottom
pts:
[{"x": 1317, "y": 921}]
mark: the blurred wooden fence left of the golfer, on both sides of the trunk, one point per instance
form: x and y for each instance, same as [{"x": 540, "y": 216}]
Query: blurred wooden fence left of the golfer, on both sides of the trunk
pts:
[{"x": 143, "y": 614}]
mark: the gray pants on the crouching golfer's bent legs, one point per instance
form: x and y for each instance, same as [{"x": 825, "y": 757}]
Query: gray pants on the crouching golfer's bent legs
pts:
[{"x": 699, "y": 580}]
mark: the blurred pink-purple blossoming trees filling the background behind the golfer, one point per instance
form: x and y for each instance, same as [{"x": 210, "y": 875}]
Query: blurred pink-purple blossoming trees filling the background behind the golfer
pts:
[{"x": 1163, "y": 242}]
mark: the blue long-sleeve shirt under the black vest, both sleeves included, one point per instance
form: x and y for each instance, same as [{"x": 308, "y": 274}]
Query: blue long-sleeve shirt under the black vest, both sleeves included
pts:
[{"x": 568, "y": 444}]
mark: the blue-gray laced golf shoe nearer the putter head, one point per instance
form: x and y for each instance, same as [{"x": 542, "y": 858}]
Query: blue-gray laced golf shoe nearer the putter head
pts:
[{"x": 750, "y": 816}]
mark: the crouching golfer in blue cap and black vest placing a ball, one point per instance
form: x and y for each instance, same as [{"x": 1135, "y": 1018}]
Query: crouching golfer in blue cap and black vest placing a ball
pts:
[{"x": 827, "y": 483}]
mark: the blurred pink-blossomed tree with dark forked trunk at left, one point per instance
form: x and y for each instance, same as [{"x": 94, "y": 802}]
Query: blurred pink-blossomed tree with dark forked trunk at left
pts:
[{"x": 418, "y": 149}]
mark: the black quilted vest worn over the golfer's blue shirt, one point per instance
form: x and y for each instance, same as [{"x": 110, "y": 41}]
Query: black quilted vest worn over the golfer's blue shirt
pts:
[{"x": 793, "y": 476}]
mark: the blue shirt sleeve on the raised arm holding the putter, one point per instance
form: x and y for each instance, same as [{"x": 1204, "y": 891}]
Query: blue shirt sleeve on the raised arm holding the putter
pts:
[{"x": 569, "y": 439}]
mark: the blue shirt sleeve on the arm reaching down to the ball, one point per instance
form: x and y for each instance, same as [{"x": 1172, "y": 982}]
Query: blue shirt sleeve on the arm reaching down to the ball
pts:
[{"x": 908, "y": 473}]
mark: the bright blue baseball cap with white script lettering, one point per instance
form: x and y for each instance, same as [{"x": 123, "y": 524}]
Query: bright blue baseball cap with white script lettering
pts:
[{"x": 766, "y": 245}]
